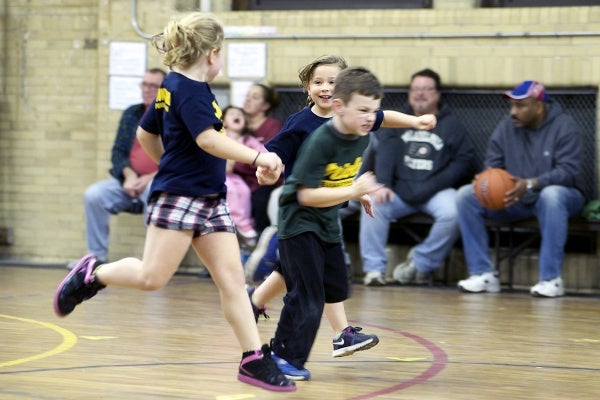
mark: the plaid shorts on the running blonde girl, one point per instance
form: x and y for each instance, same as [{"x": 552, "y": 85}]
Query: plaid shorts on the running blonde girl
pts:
[{"x": 203, "y": 215}]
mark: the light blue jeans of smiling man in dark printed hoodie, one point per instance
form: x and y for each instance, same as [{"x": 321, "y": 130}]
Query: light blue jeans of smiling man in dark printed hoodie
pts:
[{"x": 429, "y": 254}]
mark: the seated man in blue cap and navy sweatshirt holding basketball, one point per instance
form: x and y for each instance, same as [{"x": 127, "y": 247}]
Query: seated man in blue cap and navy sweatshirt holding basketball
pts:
[{"x": 540, "y": 146}]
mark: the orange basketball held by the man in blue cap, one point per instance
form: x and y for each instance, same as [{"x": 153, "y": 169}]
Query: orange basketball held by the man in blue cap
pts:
[{"x": 490, "y": 187}]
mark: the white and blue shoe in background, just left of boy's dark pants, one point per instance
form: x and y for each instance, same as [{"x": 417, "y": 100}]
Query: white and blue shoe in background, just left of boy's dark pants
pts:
[{"x": 264, "y": 258}]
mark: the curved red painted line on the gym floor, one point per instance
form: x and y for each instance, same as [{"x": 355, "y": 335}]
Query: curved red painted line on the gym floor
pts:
[{"x": 440, "y": 359}]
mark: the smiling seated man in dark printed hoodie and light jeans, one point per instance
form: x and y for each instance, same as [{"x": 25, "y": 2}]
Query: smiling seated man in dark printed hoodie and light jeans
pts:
[{"x": 420, "y": 170}]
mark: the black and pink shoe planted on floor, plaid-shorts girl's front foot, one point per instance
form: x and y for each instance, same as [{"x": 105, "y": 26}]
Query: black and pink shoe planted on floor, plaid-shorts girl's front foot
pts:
[{"x": 259, "y": 369}]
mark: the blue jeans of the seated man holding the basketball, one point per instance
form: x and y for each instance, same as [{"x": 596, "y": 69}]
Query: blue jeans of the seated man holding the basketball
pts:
[{"x": 553, "y": 208}]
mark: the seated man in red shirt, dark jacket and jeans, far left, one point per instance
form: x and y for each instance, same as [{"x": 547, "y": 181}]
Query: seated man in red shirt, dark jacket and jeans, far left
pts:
[{"x": 131, "y": 173}]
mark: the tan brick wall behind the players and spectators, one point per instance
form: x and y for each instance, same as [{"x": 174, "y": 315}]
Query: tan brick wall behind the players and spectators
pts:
[{"x": 56, "y": 128}]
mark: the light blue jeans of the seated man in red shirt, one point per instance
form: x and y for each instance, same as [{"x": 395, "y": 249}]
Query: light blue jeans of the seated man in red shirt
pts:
[{"x": 101, "y": 199}]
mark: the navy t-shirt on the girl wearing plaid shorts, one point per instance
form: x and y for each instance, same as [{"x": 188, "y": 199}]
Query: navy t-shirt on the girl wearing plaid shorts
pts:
[{"x": 183, "y": 109}]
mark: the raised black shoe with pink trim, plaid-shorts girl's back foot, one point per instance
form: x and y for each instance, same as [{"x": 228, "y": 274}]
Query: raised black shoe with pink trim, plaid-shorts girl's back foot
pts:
[{"x": 79, "y": 285}]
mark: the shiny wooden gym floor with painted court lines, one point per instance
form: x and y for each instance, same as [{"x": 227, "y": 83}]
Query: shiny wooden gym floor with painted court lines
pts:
[{"x": 435, "y": 343}]
